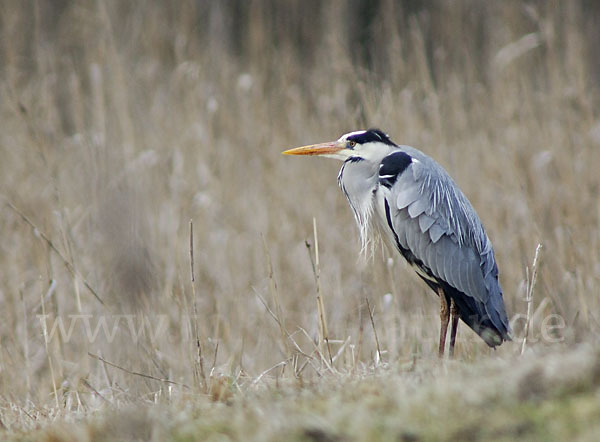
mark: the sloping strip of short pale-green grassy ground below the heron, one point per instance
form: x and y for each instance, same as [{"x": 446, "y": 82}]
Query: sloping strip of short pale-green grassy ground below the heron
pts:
[{"x": 537, "y": 396}]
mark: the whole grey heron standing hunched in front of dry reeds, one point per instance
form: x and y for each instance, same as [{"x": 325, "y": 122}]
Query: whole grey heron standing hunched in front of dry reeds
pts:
[{"x": 421, "y": 212}]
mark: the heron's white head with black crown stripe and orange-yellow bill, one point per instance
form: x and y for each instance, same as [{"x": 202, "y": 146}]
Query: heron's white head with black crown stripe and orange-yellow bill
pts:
[{"x": 371, "y": 144}]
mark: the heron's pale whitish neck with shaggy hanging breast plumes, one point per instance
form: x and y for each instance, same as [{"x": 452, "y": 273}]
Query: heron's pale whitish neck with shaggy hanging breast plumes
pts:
[{"x": 358, "y": 180}]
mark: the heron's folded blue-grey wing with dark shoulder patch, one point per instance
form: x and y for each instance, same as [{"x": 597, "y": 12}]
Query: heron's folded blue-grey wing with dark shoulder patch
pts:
[{"x": 433, "y": 219}]
